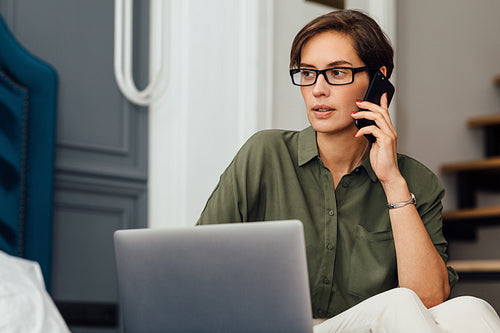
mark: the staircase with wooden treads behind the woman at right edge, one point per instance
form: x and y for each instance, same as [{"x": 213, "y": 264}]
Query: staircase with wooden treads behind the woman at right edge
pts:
[{"x": 472, "y": 177}]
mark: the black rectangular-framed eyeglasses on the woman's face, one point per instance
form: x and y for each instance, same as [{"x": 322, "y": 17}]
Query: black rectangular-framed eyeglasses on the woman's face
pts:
[{"x": 336, "y": 76}]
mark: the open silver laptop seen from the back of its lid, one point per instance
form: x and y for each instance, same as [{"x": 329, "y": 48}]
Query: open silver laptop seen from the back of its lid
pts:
[{"x": 243, "y": 277}]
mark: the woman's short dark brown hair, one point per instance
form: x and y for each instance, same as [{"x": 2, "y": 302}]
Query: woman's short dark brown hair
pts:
[{"x": 369, "y": 41}]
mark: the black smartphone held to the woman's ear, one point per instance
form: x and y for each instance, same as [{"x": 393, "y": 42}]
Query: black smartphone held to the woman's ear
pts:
[{"x": 379, "y": 85}]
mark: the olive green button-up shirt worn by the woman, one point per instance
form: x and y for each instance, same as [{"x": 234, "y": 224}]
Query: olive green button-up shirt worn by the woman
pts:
[{"x": 279, "y": 175}]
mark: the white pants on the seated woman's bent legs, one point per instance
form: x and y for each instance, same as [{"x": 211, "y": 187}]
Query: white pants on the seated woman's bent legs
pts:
[{"x": 400, "y": 310}]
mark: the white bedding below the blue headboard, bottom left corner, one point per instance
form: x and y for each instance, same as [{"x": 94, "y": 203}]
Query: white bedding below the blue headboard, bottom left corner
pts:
[{"x": 25, "y": 305}]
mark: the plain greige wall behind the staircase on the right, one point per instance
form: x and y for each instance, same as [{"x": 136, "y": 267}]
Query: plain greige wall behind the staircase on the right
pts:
[{"x": 447, "y": 55}]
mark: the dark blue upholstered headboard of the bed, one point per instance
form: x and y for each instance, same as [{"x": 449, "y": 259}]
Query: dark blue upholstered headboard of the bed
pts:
[{"x": 28, "y": 97}]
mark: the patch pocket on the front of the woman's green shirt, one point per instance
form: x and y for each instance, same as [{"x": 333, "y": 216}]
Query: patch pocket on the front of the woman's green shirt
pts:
[{"x": 372, "y": 263}]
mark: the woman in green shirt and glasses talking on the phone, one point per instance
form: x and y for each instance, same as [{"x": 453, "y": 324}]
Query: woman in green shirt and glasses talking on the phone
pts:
[{"x": 372, "y": 217}]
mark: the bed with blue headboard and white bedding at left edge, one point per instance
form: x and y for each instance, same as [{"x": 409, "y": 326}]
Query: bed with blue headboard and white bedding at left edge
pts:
[{"x": 28, "y": 96}]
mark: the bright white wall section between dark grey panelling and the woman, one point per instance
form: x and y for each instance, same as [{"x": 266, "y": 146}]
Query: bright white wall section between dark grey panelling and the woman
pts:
[{"x": 217, "y": 95}]
